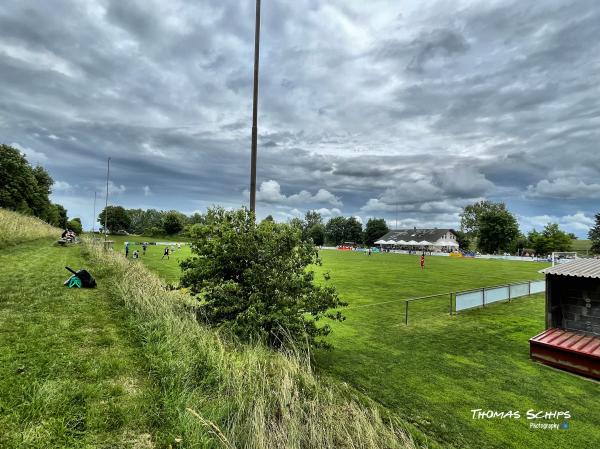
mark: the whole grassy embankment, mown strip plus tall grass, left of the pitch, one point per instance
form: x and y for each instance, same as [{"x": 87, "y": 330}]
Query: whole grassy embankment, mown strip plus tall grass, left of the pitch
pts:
[{"x": 127, "y": 365}]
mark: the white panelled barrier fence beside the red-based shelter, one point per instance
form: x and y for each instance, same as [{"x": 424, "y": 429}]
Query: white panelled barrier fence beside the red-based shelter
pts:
[{"x": 480, "y": 297}]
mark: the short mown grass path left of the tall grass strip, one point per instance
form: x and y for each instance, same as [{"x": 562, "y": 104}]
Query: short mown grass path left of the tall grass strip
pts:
[{"x": 70, "y": 374}]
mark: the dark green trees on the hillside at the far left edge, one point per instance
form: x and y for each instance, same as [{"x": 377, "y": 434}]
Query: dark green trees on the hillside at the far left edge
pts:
[{"x": 26, "y": 189}]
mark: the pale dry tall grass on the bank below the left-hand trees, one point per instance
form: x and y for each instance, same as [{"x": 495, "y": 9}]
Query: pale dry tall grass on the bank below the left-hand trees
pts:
[{"x": 17, "y": 228}]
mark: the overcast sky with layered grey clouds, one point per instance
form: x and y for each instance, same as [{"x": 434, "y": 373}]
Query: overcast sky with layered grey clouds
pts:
[{"x": 388, "y": 109}]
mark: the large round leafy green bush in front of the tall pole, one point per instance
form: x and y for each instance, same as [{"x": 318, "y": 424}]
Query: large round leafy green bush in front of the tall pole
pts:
[{"x": 253, "y": 280}]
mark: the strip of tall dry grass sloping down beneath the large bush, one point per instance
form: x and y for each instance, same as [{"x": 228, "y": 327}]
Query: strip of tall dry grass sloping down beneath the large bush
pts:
[{"x": 216, "y": 393}]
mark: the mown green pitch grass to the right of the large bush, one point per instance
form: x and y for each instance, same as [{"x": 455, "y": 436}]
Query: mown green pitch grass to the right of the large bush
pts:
[{"x": 437, "y": 369}]
